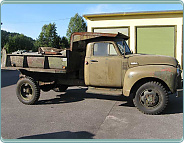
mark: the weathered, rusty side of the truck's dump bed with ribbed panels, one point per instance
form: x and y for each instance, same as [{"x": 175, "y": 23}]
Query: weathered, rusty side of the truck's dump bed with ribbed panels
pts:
[{"x": 56, "y": 63}]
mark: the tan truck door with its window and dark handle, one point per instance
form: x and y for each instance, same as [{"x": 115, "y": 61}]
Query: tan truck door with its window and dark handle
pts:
[{"x": 104, "y": 65}]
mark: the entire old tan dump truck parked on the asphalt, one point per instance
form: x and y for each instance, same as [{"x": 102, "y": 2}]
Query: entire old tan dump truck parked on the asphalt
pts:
[{"x": 98, "y": 60}]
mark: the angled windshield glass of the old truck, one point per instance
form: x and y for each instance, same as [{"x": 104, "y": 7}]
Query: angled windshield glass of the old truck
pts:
[{"x": 123, "y": 47}]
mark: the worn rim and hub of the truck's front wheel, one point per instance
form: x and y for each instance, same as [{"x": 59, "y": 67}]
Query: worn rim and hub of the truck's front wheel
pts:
[{"x": 150, "y": 98}]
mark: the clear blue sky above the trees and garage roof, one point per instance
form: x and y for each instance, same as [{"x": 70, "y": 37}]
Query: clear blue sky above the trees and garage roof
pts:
[{"x": 28, "y": 19}]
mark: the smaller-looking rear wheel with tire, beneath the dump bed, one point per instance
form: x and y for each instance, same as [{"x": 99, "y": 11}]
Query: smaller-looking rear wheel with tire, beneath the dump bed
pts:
[{"x": 28, "y": 91}]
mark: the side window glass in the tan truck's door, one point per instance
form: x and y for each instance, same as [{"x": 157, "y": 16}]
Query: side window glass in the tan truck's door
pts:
[{"x": 104, "y": 49}]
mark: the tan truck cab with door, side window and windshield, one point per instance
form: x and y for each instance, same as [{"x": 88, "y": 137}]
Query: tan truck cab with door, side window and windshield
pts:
[{"x": 105, "y": 63}]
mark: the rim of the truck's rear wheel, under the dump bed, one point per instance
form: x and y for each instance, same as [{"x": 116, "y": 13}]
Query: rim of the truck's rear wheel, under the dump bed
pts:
[{"x": 26, "y": 91}]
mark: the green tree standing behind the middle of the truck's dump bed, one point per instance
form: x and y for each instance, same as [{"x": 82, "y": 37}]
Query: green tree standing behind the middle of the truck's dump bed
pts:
[{"x": 48, "y": 37}]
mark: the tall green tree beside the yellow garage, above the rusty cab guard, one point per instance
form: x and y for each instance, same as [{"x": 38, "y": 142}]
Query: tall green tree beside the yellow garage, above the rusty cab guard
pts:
[{"x": 76, "y": 24}]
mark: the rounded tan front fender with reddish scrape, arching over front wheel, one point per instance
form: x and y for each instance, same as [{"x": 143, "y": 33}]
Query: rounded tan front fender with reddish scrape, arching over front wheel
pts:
[{"x": 163, "y": 72}]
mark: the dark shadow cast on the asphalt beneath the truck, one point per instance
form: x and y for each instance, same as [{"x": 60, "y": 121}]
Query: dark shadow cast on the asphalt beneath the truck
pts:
[{"x": 174, "y": 106}]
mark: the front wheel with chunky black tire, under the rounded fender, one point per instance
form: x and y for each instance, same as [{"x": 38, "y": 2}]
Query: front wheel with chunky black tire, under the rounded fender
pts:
[{"x": 151, "y": 98}]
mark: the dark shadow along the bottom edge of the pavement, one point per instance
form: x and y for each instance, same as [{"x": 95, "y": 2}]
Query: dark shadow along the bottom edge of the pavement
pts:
[{"x": 62, "y": 135}]
